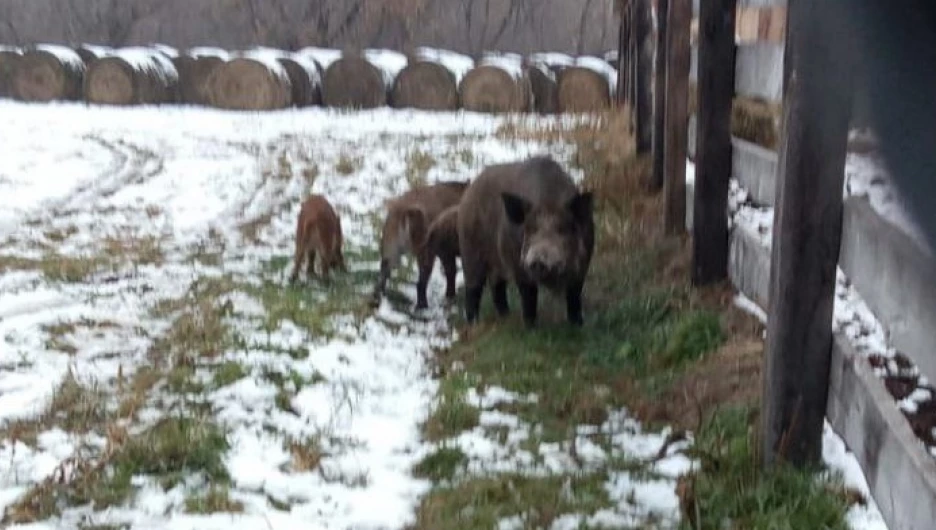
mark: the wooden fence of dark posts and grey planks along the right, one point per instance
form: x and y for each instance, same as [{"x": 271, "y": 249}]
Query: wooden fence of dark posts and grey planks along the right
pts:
[{"x": 810, "y": 373}]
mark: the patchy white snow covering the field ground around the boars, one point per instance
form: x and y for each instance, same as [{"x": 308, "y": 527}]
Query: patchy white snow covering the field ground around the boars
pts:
[{"x": 81, "y": 182}]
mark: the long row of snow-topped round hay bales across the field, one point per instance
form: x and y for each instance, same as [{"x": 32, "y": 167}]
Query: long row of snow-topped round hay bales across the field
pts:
[{"x": 269, "y": 79}]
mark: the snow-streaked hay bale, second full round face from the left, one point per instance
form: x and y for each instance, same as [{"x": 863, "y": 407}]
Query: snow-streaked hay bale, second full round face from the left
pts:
[{"x": 131, "y": 76}]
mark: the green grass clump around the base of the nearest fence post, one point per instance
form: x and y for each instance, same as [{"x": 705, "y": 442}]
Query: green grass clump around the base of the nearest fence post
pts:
[{"x": 730, "y": 489}]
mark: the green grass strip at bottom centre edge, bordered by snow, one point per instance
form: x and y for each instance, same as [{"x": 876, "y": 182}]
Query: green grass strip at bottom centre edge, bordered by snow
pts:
[{"x": 480, "y": 503}]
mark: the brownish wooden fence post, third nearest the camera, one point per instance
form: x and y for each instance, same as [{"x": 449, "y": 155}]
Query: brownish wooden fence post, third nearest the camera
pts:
[{"x": 675, "y": 146}]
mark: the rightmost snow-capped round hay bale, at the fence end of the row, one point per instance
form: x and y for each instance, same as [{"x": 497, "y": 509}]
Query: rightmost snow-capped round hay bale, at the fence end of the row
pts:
[{"x": 587, "y": 85}]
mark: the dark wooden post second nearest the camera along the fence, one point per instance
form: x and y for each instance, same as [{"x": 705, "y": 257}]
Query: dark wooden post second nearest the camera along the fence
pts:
[{"x": 715, "y": 86}]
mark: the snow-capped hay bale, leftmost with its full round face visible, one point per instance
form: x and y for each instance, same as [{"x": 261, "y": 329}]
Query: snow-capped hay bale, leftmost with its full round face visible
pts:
[{"x": 48, "y": 72}]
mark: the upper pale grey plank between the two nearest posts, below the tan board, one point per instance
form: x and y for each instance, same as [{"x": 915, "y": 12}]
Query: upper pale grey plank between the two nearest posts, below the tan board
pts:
[{"x": 759, "y": 71}]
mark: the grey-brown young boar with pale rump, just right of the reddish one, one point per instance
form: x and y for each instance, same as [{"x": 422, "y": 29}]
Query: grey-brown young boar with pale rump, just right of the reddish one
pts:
[{"x": 405, "y": 228}]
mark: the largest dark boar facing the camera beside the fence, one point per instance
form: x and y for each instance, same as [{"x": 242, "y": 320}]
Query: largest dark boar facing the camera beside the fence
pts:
[{"x": 527, "y": 222}]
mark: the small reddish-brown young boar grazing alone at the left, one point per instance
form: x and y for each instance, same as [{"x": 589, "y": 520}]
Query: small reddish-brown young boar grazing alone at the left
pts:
[{"x": 318, "y": 231}]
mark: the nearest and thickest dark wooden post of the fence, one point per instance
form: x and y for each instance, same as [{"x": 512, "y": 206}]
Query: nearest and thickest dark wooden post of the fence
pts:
[{"x": 807, "y": 231}]
